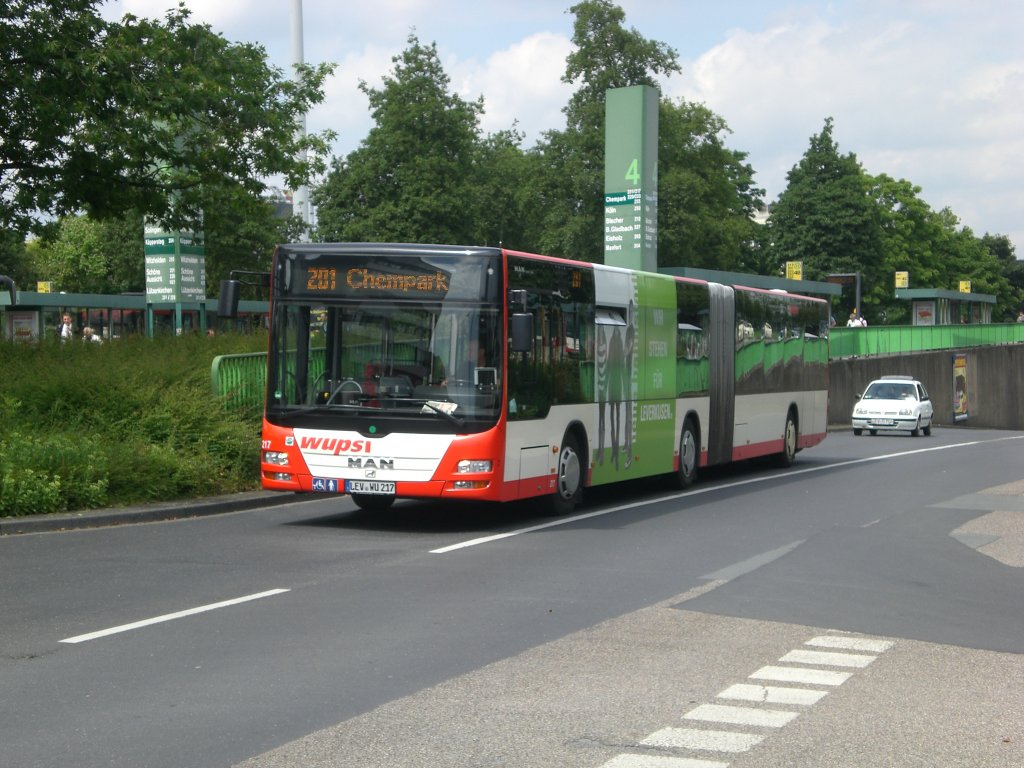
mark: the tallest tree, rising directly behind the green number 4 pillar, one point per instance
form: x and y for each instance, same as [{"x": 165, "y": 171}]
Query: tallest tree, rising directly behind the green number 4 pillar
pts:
[{"x": 571, "y": 189}]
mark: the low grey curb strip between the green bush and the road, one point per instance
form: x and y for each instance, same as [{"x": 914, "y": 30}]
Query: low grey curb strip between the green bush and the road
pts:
[{"x": 96, "y": 519}]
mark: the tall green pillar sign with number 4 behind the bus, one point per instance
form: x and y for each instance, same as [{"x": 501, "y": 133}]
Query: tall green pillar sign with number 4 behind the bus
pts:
[{"x": 631, "y": 178}]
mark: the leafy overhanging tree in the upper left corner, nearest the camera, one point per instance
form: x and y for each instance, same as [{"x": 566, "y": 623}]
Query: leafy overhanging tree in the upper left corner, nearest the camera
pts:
[{"x": 108, "y": 118}]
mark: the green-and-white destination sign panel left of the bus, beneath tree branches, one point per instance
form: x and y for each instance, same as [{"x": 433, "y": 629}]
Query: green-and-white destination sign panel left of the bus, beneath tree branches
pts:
[{"x": 176, "y": 267}]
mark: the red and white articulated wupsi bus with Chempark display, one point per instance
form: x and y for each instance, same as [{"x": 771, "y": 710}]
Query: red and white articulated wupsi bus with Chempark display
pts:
[{"x": 484, "y": 374}]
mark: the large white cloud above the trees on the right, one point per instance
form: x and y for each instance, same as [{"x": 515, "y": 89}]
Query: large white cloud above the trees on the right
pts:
[{"x": 908, "y": 100}]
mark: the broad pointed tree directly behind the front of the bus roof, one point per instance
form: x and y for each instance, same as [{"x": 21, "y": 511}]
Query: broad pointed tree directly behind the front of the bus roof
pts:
[{"x": 411, "y": 179}]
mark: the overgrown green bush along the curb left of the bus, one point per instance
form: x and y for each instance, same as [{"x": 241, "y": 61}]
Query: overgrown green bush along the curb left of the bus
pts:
[{"x": 91, "y": 425}]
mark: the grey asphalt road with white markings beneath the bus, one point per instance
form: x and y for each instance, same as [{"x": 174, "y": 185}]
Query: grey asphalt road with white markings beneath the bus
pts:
[{"x": 865, "y": 608}]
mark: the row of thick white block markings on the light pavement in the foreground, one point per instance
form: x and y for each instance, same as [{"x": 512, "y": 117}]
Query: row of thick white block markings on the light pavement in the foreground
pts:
[{"x": 733, "y": 742}]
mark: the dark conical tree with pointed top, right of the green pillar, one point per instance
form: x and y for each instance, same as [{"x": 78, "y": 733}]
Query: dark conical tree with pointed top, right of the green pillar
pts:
[{"x": 826, "y": 218}]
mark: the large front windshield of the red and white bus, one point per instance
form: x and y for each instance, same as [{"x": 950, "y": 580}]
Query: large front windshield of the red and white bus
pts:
[{"x": 350, "y": 360}]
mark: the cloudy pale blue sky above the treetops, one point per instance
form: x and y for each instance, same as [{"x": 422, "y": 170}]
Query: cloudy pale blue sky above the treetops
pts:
[{"x": 927, "y": 91}]
